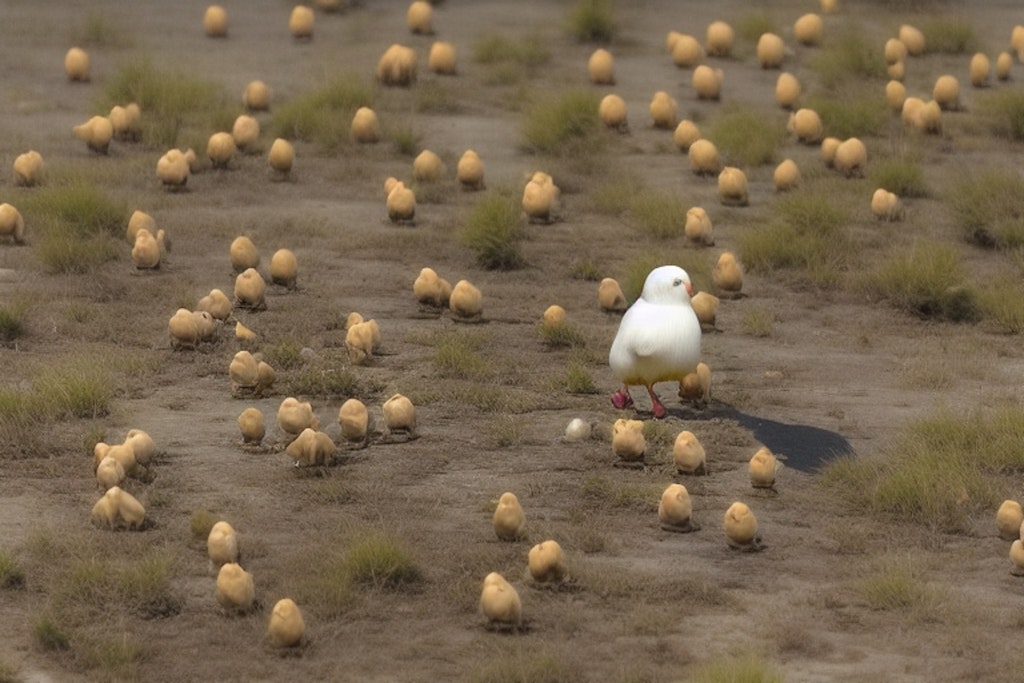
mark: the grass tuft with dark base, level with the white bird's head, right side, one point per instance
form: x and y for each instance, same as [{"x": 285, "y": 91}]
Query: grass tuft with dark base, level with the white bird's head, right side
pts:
[{"x": 927, "y": 280}]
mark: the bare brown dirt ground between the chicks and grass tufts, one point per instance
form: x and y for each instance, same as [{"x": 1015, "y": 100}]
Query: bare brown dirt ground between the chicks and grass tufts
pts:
[{"x": 836, "y": 374}]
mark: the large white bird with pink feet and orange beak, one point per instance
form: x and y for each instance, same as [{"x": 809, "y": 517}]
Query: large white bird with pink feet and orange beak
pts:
[{"x": 659, "y": 339}]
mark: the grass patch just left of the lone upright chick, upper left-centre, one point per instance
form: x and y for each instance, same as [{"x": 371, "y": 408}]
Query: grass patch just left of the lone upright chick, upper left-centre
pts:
[{"x": 324, "y": 115}]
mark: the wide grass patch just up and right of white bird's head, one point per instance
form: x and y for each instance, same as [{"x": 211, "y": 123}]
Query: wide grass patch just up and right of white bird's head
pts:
[{"x": 807, "y": 236}]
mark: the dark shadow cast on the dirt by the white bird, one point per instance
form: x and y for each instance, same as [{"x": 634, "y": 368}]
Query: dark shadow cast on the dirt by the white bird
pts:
[{"x": 805, "y": 448}]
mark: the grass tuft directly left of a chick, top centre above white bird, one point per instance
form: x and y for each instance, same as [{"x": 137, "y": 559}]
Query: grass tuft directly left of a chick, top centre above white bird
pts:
[{"x": 567, "y": 125}]
